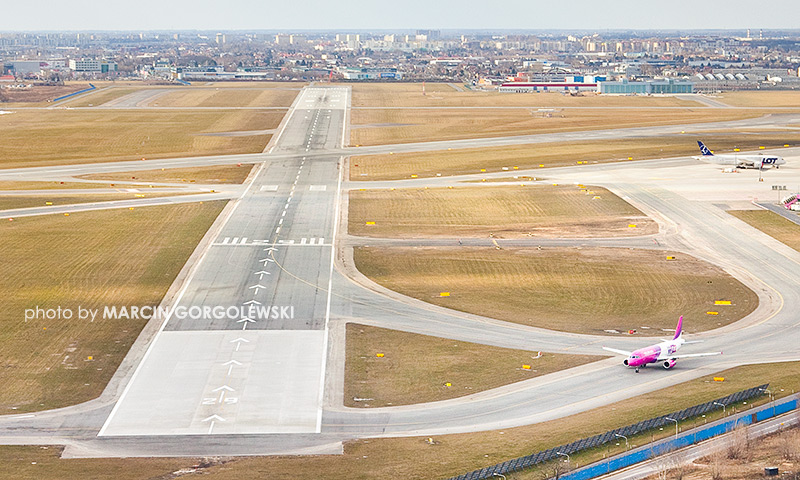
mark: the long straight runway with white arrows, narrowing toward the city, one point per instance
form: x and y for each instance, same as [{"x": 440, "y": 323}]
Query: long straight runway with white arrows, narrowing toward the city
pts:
[{"x": 259, "y": 369}]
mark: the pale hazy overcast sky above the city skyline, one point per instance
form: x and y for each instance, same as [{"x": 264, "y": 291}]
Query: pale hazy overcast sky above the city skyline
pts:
[{"x": 398, "y": 14}]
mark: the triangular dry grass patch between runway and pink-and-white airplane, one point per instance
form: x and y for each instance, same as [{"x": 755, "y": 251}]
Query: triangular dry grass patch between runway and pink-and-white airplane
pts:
[{"x": 416, "y": 368}]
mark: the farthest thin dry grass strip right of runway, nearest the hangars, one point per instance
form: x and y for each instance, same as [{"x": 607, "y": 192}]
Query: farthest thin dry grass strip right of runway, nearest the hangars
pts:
[{"x": 442, "y": 94}]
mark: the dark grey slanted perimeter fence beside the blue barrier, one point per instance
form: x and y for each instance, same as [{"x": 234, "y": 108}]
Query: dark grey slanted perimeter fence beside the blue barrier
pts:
[{"x": 528, "y": 461}]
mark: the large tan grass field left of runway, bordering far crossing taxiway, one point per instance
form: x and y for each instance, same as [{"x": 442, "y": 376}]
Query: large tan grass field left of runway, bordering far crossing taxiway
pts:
[{"x": 64, "y": 137}]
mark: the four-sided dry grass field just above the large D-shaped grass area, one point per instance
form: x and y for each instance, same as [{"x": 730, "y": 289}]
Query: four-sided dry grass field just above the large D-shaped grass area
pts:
[{"x": 503, "y": 211}]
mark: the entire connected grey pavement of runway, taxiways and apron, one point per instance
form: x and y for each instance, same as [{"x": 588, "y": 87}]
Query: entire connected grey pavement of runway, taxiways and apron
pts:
[{"x": 247, "y": 385}]
